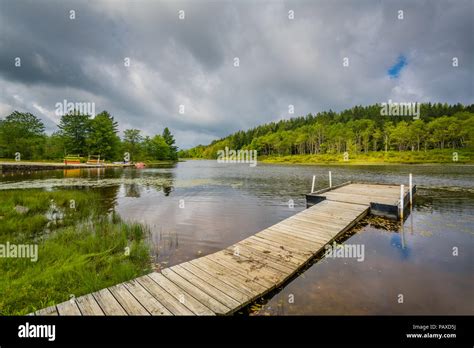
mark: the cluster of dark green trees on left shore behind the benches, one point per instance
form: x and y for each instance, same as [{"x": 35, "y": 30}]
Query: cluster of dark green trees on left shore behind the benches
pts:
[{"x": 80, "y": 135}]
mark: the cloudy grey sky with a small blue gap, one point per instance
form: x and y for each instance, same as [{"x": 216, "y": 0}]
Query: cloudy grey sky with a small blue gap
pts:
[{"x": 191, "y": 61}]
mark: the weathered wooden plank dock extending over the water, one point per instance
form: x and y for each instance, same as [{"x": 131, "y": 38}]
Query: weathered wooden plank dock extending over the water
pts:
[{"x": 224, "y": 282}]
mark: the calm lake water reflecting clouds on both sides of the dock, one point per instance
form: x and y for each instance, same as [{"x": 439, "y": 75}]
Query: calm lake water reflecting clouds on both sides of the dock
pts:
[{"x": 195, "y": 208}]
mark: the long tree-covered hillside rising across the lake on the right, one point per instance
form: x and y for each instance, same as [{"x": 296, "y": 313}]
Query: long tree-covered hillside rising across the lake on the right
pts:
[{"x": 356, "y": 130}]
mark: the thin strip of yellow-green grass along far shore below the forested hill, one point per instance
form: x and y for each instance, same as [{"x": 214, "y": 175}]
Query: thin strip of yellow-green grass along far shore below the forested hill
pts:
[{"x": 379, "y": 157}]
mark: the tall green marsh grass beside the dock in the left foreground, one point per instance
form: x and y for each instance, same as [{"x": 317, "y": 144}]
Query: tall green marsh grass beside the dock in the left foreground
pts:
[{"x": 84, "y": 253}]
